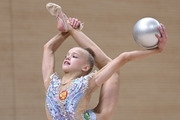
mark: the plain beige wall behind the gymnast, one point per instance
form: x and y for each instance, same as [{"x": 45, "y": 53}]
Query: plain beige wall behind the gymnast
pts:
[{"x": 149, "y": 87}]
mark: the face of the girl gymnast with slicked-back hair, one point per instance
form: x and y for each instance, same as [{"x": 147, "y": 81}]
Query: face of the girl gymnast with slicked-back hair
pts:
[{"x": 75, "y": 60}]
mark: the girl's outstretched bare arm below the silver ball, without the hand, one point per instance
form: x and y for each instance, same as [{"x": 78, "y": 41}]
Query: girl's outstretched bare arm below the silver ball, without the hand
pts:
[{"x": 106, "y": 72}]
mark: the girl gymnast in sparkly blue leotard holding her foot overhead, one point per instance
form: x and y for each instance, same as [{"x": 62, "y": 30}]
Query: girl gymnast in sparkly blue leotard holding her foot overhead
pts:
[{"x": 68, "y": 97}]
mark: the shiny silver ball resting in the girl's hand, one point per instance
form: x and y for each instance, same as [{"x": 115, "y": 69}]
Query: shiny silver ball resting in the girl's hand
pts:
[{"x": 144, "y": 32}]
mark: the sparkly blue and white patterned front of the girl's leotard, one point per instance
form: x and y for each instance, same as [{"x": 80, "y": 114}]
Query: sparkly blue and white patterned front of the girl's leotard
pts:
[{"x": 66, "y": 109}]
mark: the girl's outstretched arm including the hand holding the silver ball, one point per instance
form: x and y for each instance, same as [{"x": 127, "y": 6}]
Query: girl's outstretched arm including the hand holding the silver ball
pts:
[{"x": 106, "y": 72}]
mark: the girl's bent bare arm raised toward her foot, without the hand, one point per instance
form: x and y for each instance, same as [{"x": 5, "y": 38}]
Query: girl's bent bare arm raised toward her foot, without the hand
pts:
[{"x": 48, "y": 61}]
